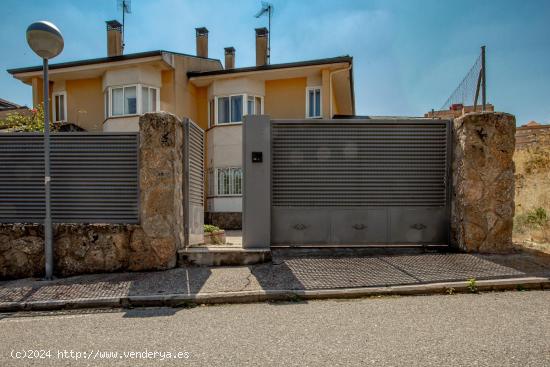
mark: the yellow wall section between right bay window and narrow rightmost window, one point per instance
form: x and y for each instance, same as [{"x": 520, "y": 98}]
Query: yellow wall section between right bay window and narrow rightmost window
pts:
[{"x": 285, "y": 98}]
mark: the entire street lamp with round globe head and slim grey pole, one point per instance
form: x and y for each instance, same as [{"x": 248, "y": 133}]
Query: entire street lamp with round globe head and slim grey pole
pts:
[{"x": 45, "y": 39}]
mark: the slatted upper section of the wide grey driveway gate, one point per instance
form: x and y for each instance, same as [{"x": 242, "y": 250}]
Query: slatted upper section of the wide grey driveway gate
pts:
[{"x": 348, "y": 164}]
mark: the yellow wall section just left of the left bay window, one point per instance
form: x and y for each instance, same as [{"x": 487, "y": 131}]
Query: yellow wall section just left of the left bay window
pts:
[{"x": 85, "y": 105}]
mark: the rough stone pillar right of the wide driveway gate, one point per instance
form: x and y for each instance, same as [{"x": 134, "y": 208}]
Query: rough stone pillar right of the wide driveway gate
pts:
[{"x": 483, "y": 182}]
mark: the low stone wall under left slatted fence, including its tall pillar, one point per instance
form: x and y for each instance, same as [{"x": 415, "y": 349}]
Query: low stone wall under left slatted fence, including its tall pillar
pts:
[{"x": 91, "y": 248}]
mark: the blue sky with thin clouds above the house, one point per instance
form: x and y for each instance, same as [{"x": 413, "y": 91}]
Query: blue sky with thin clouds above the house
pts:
[{"x": 408, "y": 55}]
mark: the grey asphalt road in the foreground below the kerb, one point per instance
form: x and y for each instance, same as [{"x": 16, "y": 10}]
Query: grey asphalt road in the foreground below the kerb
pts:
[{"x": 493, "y": 329}]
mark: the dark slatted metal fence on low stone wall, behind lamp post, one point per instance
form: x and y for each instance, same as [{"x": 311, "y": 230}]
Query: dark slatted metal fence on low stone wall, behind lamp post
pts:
[{"x": 94, "y": 178}]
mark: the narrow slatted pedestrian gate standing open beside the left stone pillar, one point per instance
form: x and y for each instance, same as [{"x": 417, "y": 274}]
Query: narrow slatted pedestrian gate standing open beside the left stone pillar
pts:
[{"x": 193, "y": 187}]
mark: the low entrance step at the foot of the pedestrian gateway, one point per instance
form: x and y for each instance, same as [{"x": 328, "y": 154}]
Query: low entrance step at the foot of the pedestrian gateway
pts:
[{"x": 222, "y": 256}]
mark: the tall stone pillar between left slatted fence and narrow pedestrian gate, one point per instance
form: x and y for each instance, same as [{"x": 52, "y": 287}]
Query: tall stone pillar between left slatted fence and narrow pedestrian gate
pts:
[{"x": 154, "y": 245}]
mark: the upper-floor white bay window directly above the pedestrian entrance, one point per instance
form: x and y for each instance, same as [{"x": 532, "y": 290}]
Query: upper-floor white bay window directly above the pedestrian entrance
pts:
[{"x": 231, "y": 109}]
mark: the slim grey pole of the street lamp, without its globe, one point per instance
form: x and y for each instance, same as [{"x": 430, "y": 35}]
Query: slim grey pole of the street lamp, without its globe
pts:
[{"x": 48, "y": 247}]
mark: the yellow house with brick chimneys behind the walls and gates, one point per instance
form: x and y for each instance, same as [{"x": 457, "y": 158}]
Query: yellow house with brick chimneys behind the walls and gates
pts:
[{"x": 109, "y": 94}]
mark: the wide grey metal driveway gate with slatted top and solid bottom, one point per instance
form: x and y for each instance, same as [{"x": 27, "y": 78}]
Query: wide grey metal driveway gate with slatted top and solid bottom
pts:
[{"x": 360, "y": 182}]
